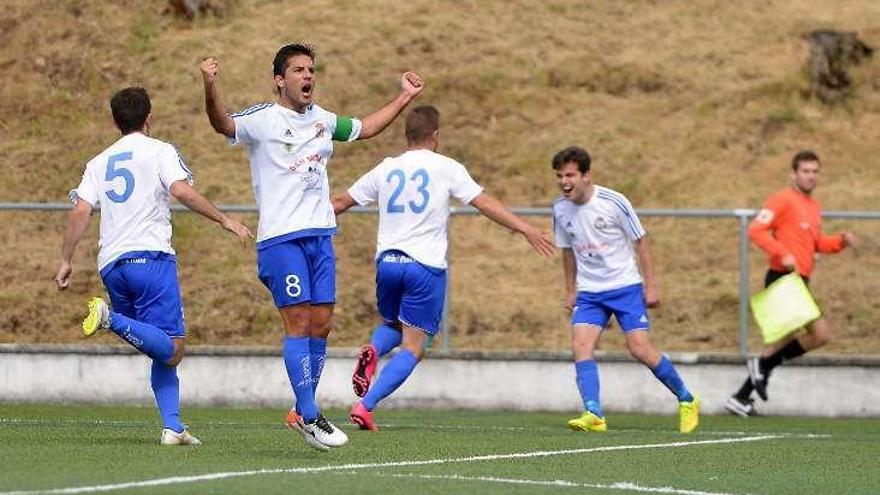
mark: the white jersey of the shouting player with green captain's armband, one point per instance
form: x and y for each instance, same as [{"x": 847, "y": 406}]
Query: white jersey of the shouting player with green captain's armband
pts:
[{"x": 289, "y": 153}]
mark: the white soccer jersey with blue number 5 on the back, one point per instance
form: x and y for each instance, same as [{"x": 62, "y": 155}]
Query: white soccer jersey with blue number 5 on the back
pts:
[{"x": 131, "y": 180}]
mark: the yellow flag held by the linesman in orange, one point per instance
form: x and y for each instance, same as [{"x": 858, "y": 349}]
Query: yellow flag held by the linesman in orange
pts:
[{"x": 784, "y": 307}]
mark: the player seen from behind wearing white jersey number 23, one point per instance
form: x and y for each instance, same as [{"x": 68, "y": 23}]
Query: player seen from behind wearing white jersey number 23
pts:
[{"x": 413, "y": 191}]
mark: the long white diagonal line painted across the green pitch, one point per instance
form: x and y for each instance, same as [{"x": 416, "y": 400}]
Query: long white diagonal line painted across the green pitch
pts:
[{"x": 343, "y": 467}]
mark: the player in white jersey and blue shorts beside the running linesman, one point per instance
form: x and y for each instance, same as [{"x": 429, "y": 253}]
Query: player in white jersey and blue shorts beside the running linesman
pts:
[{"x": 600, "y": 236}]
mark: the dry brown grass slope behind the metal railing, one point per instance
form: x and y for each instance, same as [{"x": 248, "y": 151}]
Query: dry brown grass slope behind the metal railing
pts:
[{"x": 683, "y": 104}]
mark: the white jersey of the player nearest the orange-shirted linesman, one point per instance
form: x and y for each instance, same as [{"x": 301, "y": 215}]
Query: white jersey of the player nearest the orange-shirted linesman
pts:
[{"x": 600, "y": 233}]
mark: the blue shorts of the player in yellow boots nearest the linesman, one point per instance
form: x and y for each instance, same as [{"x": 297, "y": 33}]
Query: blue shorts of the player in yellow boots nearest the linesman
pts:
[{"x": 627, "y": 304}]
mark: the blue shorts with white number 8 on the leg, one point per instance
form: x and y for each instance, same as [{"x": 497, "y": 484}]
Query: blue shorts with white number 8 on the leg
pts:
[{"x": 299, "y": 271}]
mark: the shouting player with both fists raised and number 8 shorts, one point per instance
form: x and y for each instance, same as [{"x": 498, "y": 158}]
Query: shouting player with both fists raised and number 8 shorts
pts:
[{"x": 289, "y": 144}]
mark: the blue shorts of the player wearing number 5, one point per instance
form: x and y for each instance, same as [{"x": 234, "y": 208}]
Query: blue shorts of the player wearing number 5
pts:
[{"x": 143, "y": 286}]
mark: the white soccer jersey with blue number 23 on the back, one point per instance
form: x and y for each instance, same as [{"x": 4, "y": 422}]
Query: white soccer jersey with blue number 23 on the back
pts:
[{"x": 413, "y": 191}]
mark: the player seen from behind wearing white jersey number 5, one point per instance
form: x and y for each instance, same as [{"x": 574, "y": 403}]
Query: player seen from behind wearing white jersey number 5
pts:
[{"x": 133, "y": 180}]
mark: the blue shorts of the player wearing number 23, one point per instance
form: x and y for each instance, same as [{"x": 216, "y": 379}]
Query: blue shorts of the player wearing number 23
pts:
[{"x": 410, "y": 292}]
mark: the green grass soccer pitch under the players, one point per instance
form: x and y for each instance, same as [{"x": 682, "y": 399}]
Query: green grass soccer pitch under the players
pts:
[{"x": 83, "y": 449}]
